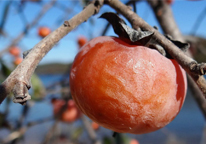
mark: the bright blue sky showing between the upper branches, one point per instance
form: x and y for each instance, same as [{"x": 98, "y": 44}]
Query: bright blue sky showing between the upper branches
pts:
[{"x": 185, "y": 13}]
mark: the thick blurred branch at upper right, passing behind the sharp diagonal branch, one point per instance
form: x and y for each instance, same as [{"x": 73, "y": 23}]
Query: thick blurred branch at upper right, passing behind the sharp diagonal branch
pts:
[{"x": 169, "y": 26}]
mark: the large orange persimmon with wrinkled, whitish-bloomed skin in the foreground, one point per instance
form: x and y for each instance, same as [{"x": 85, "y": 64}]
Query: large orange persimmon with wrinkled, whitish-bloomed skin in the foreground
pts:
[{"x": 126, "y": 88}]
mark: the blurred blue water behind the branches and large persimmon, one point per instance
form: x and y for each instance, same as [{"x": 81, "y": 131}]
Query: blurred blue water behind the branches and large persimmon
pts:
[{"x": 186, "y": 128}]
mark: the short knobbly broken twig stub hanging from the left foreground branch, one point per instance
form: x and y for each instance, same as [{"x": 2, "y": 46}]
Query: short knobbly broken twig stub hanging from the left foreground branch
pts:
[{"x": 21, "y": 94}]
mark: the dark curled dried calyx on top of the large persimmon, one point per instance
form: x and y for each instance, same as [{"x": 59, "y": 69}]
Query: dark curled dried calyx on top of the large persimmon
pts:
[{"x": 139, "y": 37}]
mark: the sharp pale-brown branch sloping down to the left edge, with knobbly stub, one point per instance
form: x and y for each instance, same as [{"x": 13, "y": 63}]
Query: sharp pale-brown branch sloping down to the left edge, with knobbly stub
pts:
[{"x": 19, "y": 80}]
